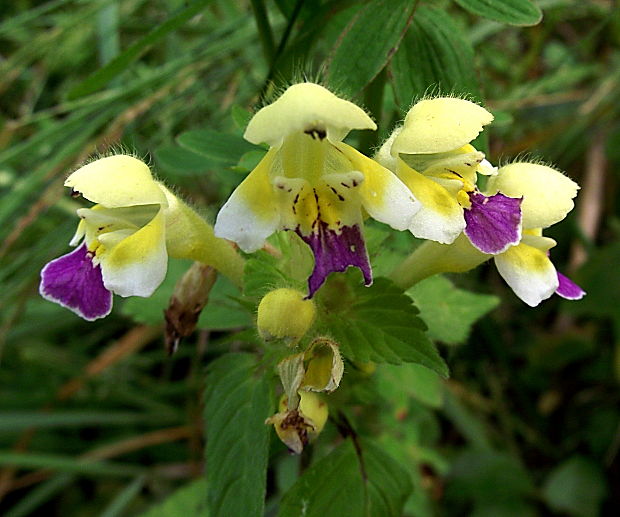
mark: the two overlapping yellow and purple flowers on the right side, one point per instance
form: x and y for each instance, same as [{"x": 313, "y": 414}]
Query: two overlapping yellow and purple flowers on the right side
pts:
[{"x": 433, "y": 155}]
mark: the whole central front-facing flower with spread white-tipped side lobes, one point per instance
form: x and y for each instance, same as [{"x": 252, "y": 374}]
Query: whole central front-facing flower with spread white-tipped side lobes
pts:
[{"x": 312, "y": 183}]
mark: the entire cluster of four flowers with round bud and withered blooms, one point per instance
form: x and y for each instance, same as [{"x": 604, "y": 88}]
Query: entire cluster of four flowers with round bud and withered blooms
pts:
[{"x": 427, "y": 178}]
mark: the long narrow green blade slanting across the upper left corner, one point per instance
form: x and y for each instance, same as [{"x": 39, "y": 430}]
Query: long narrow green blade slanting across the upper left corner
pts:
[{"x": 120, "y": 63}]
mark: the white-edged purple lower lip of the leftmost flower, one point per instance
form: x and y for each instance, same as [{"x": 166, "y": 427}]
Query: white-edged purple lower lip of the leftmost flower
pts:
[{"x": 73, "y": 282}]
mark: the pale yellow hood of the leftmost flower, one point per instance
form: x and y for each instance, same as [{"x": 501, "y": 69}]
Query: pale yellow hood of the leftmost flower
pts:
[{"x": 116, "y": 181}]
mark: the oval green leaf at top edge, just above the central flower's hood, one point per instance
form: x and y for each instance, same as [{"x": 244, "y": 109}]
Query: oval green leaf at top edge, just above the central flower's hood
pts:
[{"x": 368, "y": 43}]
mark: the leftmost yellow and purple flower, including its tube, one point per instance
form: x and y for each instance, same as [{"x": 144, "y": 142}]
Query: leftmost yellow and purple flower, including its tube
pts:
[{"x": 124, "y": 240}]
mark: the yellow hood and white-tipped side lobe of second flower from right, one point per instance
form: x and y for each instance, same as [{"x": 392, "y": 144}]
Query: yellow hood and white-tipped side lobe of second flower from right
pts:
[{"x": 431, "y": 153}]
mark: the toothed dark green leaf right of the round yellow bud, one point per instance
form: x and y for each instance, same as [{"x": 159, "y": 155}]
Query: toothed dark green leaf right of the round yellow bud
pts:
[{"x": 377, "y": 323}]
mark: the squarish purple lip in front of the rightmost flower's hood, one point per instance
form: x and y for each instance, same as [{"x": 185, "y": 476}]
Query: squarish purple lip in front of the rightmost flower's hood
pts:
[{"x": 493, "y": 223}]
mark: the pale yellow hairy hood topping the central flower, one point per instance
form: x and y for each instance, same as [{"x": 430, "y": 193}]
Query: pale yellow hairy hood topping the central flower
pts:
[{"x": 306, "y": 107}]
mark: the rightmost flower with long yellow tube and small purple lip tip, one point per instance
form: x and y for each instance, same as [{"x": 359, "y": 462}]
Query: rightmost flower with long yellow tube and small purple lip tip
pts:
[{"x": 547, "y": 196}]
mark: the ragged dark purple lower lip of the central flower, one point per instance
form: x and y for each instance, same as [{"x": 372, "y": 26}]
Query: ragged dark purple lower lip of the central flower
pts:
[{"x": 336, "y": 251}]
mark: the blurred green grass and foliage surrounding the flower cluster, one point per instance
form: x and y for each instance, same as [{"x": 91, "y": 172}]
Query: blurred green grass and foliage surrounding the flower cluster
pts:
[{"x": 96, "y": 420}]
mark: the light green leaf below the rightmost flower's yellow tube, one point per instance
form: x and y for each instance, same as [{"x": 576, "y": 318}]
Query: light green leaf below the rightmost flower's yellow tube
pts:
[{"x": 449, "y": 311}]
